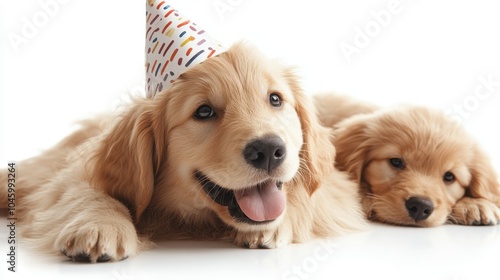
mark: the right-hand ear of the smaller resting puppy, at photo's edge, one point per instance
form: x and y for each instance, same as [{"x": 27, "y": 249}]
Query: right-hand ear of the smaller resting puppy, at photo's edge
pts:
[{"x": 484, "y": 182}]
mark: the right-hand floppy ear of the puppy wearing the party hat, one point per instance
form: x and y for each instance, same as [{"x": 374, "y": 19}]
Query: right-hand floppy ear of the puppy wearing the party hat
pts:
[{"x": 317, "y": 154}]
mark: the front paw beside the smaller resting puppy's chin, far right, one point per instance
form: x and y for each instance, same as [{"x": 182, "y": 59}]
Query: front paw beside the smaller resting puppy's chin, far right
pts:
[{"x": 475, "y": 211}]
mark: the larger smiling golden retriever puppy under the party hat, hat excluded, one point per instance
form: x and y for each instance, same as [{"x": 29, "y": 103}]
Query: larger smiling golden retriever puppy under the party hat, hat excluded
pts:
[{"x": 232, "y": 150}]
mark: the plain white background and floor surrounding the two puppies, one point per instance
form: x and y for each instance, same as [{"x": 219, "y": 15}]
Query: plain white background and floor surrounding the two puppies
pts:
[{"x": 84, "y": 57}]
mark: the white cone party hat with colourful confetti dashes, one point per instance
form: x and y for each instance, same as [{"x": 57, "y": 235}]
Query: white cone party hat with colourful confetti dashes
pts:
[{"x": 173, "y": 44}]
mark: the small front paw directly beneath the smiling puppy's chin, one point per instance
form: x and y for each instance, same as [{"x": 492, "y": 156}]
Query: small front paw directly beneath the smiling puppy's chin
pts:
[{"x": 268, "y": 239}]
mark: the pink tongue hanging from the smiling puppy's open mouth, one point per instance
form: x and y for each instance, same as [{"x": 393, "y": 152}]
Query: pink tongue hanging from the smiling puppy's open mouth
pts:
[{"x": 261, "y": 203}]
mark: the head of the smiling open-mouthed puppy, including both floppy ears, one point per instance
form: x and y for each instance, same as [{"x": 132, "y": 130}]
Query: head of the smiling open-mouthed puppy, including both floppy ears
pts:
[{"x": 230, "y": 136}]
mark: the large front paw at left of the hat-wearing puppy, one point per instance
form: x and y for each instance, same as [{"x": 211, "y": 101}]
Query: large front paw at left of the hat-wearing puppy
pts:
[{"x": 98, "y": 240}]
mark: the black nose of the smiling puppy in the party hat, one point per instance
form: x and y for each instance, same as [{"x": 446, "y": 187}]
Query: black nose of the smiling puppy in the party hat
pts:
[{"x": 265, "y": 153}]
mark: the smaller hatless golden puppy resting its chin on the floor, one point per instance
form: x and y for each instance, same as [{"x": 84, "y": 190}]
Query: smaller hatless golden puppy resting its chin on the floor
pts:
[{"x": 414, "y": 165}]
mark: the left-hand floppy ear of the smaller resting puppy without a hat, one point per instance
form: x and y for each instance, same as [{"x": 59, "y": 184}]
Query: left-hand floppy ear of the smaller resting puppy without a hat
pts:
[{"x": 351, "y": 142}]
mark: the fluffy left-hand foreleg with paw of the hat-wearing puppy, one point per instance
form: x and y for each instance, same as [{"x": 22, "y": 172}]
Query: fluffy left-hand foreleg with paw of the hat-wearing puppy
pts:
[{"x": 83, "y": 223}]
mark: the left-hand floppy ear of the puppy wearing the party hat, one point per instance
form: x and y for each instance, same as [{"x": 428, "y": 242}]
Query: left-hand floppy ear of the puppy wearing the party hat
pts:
[{"x": 129, "y": 156}]
